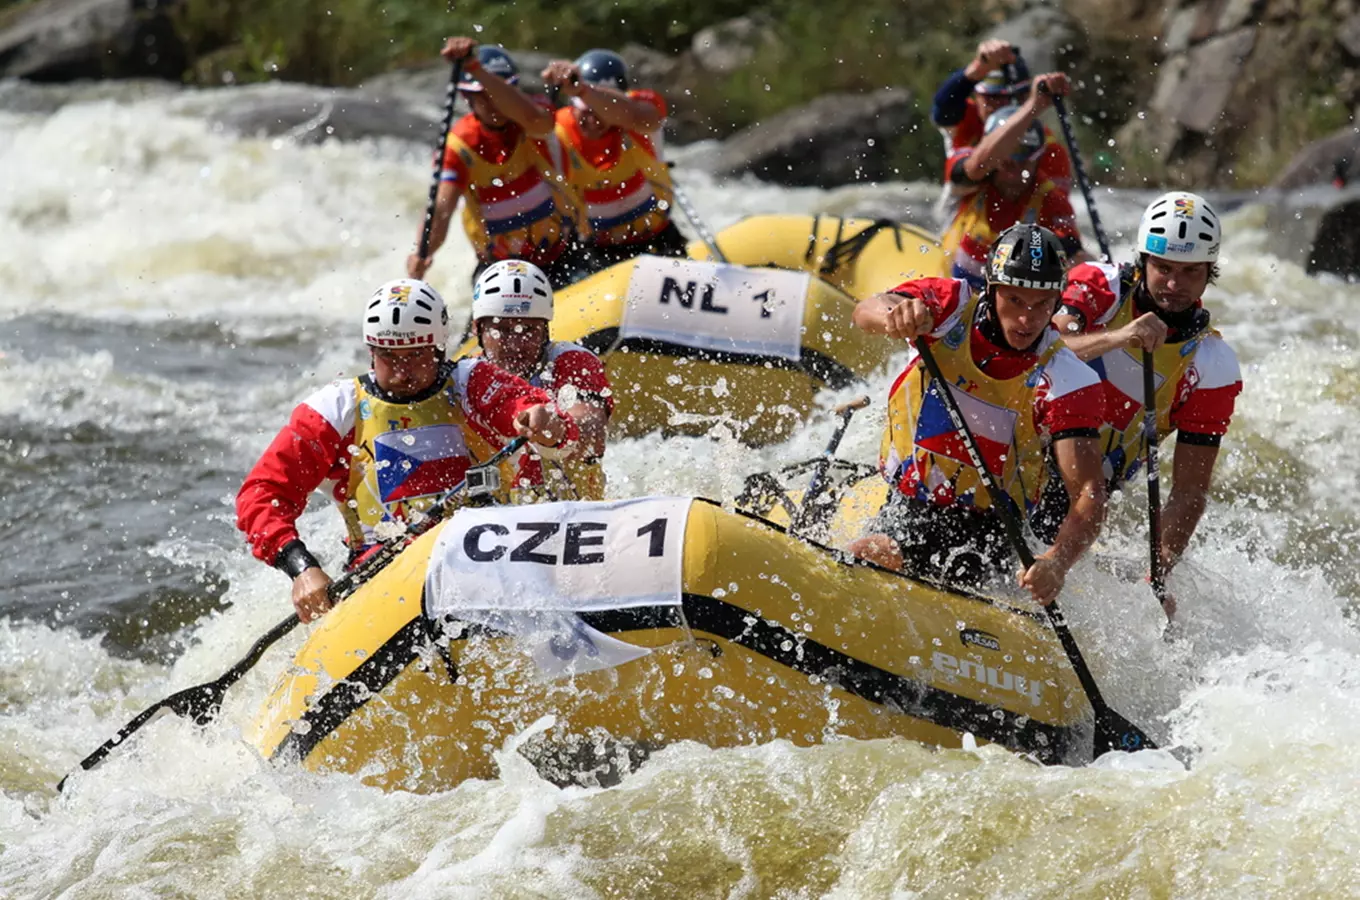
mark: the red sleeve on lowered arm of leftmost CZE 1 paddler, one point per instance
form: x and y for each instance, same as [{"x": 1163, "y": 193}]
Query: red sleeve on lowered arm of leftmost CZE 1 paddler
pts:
[{"x": 299, "y": 460}]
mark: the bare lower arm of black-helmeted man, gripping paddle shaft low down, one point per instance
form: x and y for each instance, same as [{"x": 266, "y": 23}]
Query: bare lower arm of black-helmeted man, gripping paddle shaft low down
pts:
[{"x": 1079, "y": 462}]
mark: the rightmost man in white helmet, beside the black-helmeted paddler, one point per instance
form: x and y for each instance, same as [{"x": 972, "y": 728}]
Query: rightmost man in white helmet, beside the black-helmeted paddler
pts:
[{"x": 1110, "y": 313}]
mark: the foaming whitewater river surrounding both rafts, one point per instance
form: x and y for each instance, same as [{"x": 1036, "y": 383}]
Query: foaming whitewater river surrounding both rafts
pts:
[{"x": 168, "y": 292}]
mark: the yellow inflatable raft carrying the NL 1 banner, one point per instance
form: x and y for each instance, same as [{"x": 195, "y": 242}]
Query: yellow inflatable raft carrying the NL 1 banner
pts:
[{"x": 692, "y": 343}]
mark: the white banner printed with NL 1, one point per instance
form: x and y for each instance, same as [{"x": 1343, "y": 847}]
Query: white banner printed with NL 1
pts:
[{"x": 717, "y": 307}]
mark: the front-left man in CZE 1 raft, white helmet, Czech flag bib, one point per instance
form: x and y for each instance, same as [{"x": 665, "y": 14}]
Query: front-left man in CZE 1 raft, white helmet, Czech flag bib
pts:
[{"x": 388, "y": 444}]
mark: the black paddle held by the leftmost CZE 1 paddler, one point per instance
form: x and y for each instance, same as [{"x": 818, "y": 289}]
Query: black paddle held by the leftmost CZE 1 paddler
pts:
[{"x": 203, "y": 702}]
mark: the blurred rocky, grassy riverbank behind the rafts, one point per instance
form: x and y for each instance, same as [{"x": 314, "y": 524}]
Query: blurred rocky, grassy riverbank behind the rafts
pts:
[{"x": 1234, "y": 96}]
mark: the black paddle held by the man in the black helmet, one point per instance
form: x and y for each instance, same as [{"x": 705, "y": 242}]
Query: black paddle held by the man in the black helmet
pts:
[{"x": 1113, "y": 731}]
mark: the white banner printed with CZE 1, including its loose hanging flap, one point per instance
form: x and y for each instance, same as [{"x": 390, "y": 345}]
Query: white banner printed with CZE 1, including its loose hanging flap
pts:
[{"x": 528, "y": 570}]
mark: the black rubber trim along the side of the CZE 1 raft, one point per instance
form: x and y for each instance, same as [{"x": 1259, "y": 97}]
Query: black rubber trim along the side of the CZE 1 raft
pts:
[{"x": 711, "y": 617}]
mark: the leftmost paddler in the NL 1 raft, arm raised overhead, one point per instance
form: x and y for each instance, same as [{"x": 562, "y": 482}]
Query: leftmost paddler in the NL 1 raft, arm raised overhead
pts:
[{"x": 508, "y": 168}]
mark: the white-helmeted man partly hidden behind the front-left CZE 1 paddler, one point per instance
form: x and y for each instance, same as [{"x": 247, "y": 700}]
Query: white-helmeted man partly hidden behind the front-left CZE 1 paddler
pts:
[{"x": 512, "y": 307}]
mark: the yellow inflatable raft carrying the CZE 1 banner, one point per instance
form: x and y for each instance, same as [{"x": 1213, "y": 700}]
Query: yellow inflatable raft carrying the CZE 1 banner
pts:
[{"x": 640, "y": 623}]
